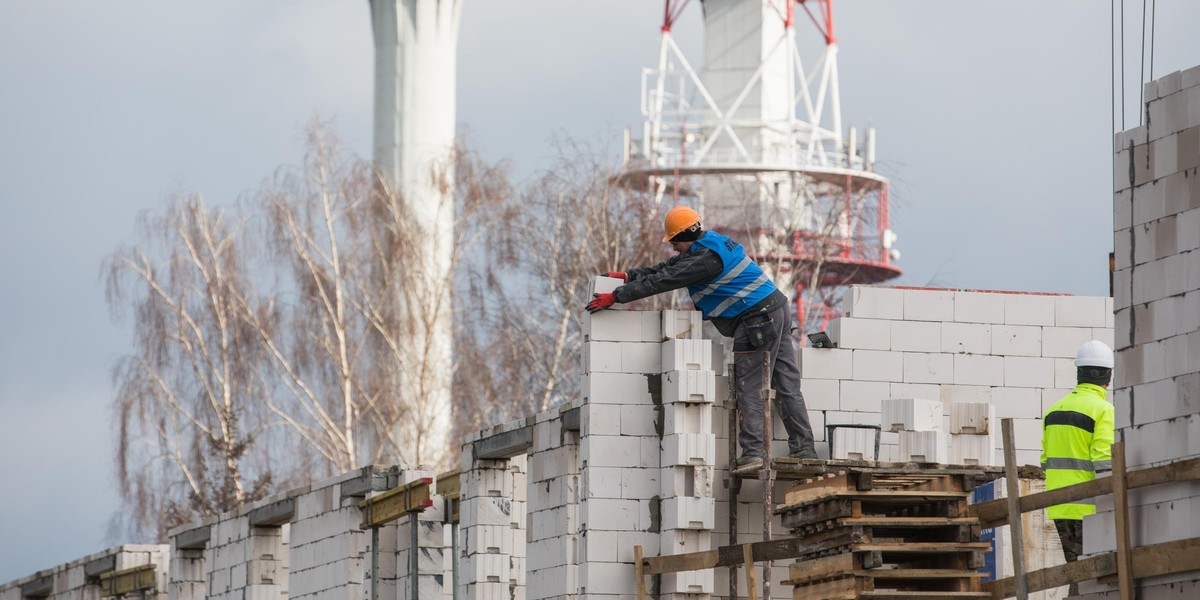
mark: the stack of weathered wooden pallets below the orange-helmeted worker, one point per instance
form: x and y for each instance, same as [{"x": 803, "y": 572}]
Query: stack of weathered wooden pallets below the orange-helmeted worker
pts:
[{"x": 885, "y": 533}]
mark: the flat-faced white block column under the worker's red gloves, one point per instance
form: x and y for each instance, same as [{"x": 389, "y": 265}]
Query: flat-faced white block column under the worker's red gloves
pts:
[{"x": 620, "y": 446}]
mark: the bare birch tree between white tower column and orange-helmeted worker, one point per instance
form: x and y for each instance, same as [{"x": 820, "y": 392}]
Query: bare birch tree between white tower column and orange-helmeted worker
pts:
[{"x": 526, "y": 297}]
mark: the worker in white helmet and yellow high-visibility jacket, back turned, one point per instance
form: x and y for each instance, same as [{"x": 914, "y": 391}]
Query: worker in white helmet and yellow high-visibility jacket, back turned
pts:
[{"x": 1077, "y": 442}]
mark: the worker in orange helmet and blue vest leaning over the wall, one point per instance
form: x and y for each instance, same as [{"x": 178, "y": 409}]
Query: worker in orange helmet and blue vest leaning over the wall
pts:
[{"x": 742, "y": 302}]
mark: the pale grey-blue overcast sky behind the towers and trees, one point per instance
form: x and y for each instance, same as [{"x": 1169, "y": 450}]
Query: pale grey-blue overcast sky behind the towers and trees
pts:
[{"x": 994, "y": 123}]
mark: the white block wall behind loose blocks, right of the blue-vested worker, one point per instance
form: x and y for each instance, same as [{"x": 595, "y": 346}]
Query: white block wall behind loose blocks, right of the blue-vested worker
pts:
[{"x": 1013, "y": 351}]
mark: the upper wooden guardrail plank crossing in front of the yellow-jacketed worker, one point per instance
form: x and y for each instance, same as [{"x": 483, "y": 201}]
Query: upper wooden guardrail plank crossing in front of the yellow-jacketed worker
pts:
[{"x": 995, "y": 513}]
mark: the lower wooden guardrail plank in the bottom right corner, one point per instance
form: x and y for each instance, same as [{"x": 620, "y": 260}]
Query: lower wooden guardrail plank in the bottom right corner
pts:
[{"x": 1172, "y": 557}]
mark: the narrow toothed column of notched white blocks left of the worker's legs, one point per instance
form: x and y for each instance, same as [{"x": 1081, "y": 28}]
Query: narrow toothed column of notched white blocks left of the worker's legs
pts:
[{"x": 689, "y": 451}]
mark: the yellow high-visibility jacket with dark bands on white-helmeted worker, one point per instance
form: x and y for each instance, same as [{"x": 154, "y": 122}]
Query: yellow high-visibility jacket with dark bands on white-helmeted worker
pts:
[{"x": 1077, "y": 443}]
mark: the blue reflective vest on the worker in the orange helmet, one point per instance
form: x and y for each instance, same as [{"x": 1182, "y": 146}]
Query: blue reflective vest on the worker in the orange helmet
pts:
[{"x": 740, "y": 286}]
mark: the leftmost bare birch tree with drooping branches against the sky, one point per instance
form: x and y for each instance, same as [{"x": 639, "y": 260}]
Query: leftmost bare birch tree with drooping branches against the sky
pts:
[{"x": 189, "y": 399}]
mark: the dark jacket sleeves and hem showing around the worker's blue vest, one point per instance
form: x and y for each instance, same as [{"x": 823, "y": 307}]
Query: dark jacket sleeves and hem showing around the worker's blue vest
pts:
[{"x": 698, "y": 266}]
